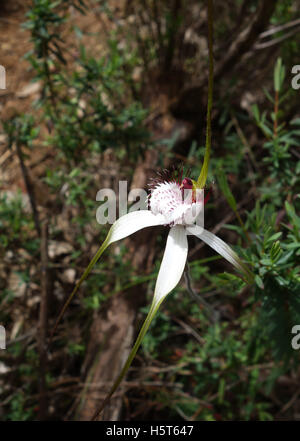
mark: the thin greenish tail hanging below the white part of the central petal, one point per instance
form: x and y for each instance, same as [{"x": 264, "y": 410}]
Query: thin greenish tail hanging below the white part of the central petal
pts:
[{"x": 151, "y": 314}]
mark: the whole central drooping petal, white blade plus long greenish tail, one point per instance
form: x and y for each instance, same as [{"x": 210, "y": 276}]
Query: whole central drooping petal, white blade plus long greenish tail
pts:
[{"x": 169, "y": 275}]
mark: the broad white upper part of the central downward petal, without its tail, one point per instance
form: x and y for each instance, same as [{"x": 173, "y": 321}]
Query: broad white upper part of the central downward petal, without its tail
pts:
[{"x": 173, "y": 263}]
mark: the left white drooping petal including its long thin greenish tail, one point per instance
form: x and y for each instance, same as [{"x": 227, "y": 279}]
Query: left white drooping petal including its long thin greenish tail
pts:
[{"x": 123, "y": 227}]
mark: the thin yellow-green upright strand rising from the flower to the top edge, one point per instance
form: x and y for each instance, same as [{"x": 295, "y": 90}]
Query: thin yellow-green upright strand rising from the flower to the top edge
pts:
[{"x": 203, "y": 174}]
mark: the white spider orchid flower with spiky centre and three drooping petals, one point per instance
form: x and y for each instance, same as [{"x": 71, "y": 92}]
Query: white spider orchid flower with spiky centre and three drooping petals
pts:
[{"x": 167, "y": 207}]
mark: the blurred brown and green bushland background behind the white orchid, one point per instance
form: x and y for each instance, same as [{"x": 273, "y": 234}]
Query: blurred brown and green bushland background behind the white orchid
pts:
[{"x": 103, "y": 91}]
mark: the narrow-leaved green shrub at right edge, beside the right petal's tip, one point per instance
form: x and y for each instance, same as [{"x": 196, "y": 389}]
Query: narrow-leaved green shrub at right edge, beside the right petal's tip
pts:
[{"x": 273, "y": 255}]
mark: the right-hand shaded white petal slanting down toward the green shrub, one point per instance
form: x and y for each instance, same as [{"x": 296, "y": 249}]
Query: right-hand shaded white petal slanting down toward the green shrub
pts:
[{"x": 221, "y": 248}]
